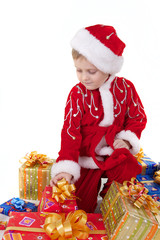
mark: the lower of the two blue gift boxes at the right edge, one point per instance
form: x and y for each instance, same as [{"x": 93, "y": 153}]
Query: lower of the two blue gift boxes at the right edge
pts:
[{"x": 151, "y": 185}]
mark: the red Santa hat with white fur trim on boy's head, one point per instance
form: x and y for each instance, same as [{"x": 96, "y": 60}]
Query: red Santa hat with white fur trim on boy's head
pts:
[{"x": 101, "y": 46}]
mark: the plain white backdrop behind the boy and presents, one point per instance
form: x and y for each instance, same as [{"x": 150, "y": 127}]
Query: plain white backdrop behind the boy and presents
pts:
[{"x": 37, "y": 72}]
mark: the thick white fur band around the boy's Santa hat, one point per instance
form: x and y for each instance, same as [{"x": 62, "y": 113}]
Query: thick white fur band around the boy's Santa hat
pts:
[{"x": 96, "y": 53}]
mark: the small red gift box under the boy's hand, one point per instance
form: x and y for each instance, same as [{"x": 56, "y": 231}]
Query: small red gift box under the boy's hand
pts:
[{"x": 49, "y": 204}]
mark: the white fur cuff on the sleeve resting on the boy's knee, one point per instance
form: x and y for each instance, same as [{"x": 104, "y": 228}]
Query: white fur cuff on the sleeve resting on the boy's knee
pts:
[{"x": 131, "y": 138}]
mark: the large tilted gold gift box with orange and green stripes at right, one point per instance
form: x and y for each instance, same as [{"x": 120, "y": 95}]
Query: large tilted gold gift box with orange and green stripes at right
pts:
[{"x": 123, "y": 220}]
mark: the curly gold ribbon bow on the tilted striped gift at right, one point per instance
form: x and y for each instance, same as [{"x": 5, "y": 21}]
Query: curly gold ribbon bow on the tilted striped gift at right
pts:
[{"x": 138, "y": 194}]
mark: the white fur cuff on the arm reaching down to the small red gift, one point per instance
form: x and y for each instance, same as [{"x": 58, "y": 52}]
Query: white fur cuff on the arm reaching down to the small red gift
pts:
[{"x": 67, "y": 166}]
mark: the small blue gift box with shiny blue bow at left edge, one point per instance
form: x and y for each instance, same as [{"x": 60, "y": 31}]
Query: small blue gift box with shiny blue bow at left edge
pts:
[{"x": 17, "y": 205}]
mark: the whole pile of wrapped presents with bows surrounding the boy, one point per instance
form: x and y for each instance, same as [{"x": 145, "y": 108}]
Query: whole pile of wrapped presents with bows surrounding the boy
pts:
[{"x": 128, "y": 211}]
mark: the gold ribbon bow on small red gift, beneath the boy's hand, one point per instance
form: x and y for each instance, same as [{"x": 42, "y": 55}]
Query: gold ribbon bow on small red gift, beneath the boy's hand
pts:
[{"x": 63, "y": 191}]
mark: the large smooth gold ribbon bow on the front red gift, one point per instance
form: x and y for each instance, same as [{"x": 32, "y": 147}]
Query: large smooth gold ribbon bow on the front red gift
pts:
[{"x": 74, "y": 226}]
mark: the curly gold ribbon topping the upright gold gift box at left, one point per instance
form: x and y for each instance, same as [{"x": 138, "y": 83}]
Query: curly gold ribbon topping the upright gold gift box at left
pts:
[{"x": 33, "y": 158}]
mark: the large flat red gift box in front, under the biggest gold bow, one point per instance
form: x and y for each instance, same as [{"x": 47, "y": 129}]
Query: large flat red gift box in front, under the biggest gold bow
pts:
[{"x": 32, "y": 226}]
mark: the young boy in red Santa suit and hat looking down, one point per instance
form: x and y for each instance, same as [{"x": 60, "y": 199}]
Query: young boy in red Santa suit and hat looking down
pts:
[{"x": 104, "y": 118}]
